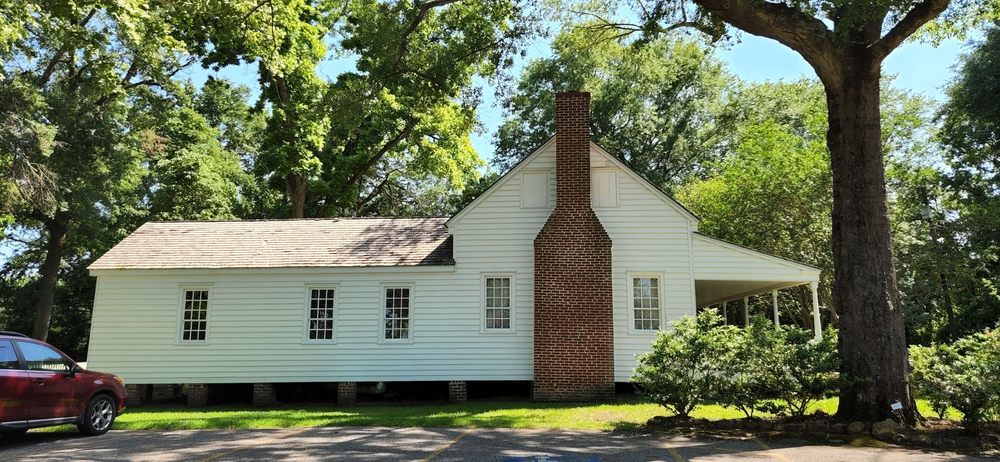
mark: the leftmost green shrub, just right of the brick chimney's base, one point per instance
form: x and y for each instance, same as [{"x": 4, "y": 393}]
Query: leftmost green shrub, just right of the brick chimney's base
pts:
[{"x": 681, "y": 370}]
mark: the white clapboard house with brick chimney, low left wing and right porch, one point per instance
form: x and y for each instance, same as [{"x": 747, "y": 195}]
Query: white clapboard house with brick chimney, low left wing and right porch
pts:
[{"x": 559, "y": 274}]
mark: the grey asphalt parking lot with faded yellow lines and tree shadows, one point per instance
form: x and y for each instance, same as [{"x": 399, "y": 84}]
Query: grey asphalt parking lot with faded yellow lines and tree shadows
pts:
[{"x": 438, "y": 444}]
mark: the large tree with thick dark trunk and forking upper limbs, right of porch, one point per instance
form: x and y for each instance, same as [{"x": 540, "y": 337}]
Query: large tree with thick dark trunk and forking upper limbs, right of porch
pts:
[{"x": 845, "y": 42}]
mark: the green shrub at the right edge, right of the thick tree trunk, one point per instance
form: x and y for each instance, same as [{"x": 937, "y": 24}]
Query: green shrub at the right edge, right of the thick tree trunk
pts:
[{"x": 962, "y": 375}]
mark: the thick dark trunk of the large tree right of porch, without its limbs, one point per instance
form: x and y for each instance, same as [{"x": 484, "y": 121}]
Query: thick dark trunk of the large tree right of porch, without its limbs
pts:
[{"x": 872, "y": 336}]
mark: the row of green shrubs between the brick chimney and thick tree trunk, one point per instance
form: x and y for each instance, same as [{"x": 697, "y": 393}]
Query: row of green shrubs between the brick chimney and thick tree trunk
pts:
[{"x": 757, "y": 369}]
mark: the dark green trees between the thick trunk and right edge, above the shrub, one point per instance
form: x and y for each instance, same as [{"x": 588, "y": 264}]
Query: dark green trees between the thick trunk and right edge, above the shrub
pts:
[{"x": 945, "y": 209}]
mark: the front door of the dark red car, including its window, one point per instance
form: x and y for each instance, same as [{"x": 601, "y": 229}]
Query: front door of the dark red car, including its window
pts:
[{"x": 54, "y": 394}]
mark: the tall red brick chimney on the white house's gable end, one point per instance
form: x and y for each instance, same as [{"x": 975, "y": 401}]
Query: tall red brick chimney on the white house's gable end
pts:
[{"x": 574, "y": 332}]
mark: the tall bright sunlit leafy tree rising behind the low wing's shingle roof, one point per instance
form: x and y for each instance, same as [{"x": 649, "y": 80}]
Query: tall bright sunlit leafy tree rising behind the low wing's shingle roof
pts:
[{"x": 382, "y": 133}]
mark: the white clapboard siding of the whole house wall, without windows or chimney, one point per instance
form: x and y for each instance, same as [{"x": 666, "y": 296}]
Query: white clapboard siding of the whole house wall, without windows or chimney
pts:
[{"x": 257, "y": 318}]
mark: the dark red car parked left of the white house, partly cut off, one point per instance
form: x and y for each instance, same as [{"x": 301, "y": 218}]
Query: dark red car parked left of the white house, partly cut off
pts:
[{"x": 40, "y": 386}]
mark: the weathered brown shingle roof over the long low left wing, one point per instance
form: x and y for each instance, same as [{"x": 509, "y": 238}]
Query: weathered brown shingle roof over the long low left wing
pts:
[{"x": 303, "y": 243}]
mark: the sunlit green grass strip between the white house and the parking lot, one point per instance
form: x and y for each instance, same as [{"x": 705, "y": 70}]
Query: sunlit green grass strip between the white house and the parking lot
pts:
[{"x": 628, "y": 414}]
